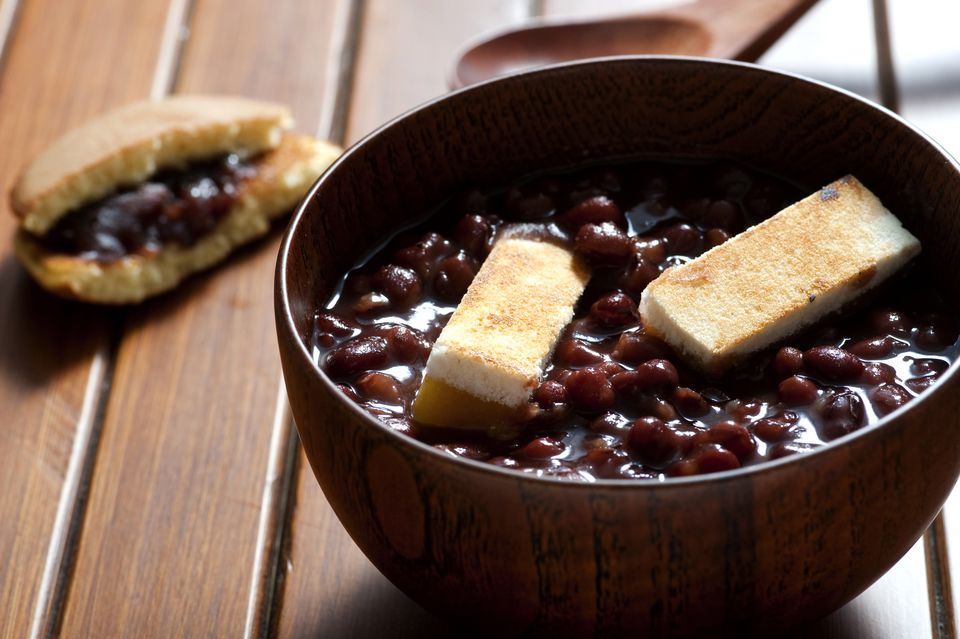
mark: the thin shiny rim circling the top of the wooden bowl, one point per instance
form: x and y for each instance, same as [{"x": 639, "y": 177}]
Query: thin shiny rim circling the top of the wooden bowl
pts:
[{"x": 286, "y": 325}]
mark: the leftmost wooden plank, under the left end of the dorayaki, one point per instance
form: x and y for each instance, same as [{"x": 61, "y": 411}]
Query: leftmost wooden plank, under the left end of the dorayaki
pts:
[{"x": 59, "y": 68}]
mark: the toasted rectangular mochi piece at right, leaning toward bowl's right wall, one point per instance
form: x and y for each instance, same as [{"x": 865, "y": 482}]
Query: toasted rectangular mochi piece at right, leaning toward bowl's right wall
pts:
[{"x": 777, "y": 277}]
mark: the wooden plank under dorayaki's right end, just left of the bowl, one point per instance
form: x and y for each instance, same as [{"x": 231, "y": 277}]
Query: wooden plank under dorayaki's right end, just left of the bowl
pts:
[{"x": 171, "y": 538}]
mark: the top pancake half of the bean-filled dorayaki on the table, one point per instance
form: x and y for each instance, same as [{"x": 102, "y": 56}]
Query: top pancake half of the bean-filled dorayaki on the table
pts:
[{"x": 126, "y": 145}]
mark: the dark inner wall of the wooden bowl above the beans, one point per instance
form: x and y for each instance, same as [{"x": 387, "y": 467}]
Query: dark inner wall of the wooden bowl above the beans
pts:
[{"x": 491, "y": 134}]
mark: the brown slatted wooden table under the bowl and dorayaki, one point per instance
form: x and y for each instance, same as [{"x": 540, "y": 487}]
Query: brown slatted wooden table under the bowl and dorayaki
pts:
[{"x": 151, "y": 482}]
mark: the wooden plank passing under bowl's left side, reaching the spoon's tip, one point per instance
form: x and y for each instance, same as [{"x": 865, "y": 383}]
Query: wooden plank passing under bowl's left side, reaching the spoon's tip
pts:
[{"x": 328, "y": 588}]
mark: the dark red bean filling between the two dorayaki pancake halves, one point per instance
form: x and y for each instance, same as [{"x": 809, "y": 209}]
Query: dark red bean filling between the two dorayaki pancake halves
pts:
[{"x": 175, "y": 206}]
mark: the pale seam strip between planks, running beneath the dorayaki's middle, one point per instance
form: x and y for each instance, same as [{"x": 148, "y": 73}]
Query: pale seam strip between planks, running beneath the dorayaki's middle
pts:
[{"x": 66, "y": 532}]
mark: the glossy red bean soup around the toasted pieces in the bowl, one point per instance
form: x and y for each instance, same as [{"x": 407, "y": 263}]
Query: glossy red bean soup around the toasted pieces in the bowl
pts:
[{"x": 616, "y": 402}]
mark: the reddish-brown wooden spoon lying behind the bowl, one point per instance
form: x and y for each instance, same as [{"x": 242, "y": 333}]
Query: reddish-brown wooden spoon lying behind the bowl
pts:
[{"x": 734, "y": 29}]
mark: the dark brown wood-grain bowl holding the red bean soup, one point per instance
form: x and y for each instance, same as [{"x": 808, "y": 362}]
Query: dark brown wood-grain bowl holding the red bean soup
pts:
[{"x": 752, "y": 550}]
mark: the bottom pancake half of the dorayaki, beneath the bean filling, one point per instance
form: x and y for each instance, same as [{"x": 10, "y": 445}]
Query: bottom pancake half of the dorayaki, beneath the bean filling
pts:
[{"x": 282, "y": 177}]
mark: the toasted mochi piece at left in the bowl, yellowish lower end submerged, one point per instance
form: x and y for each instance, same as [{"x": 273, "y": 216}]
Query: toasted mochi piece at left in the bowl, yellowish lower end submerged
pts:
[{"x": 490, "y": 355}]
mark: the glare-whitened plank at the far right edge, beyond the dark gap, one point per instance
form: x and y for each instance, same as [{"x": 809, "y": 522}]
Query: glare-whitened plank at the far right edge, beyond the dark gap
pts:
[{"x": 927, "y": 58}]
